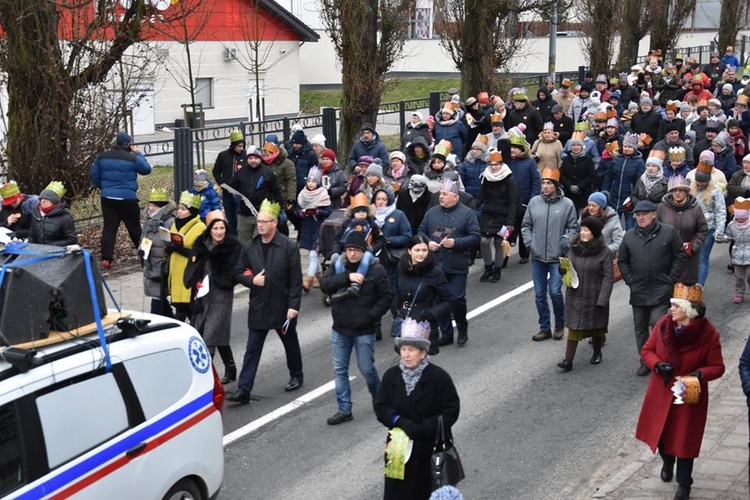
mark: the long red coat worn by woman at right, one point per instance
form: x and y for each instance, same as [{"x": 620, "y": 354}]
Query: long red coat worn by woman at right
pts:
[{"x": 680, "y": 427}]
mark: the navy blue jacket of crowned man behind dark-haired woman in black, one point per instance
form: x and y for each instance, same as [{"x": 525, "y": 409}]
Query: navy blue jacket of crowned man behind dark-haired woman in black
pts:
[{"x": 459, "y": 223}]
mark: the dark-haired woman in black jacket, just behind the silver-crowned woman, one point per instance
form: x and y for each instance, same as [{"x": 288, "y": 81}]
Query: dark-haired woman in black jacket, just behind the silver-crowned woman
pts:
[{"x": 421, "y": 281}]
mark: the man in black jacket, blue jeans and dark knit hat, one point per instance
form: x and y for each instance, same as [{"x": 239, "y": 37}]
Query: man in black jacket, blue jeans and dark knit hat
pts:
[{"x": 355, "y": 320}]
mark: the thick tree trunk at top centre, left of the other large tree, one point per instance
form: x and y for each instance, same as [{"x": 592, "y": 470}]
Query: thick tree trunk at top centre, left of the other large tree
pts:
[{"x": 360, "y": 81}]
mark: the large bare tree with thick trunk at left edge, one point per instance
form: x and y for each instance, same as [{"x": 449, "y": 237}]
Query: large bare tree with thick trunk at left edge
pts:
[{"x": 60, "y": 111}]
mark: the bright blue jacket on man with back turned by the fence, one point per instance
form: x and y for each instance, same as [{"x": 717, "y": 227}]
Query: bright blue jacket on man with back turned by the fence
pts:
[{"x": 115, "y": 173}]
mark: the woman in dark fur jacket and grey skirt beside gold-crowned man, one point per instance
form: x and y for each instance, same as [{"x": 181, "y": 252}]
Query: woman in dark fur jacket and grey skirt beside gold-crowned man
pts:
[{"x": 212, "y": 263}]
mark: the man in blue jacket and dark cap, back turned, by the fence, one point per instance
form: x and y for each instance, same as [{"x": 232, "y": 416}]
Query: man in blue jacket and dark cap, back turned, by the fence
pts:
[{"x": 115, "y": 173}]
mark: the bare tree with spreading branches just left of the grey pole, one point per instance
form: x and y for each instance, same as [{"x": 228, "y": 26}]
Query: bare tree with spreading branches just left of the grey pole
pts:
[{"x": 482, "y": 36}]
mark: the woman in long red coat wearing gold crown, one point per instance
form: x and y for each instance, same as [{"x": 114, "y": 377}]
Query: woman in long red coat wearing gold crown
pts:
[{"x": 683, "y": 342}]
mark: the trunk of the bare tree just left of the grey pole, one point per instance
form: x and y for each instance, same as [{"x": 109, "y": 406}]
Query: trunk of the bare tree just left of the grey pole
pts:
[{"x": 477, "y": 69}]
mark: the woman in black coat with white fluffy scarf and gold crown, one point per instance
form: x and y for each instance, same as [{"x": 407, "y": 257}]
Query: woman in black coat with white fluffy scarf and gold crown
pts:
[{"x": 497, "y": 201}]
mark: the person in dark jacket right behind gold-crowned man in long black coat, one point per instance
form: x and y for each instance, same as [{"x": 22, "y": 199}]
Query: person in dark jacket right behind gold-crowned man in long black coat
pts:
[{"x": 257, "y": 183}]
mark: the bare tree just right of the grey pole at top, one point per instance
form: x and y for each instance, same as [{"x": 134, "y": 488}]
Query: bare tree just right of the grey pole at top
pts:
[{"x": 601, "y": 20}]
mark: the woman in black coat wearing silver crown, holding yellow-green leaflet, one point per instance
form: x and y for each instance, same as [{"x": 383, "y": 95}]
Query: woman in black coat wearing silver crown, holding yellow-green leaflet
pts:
[{"x": 412, "y": 396}]
